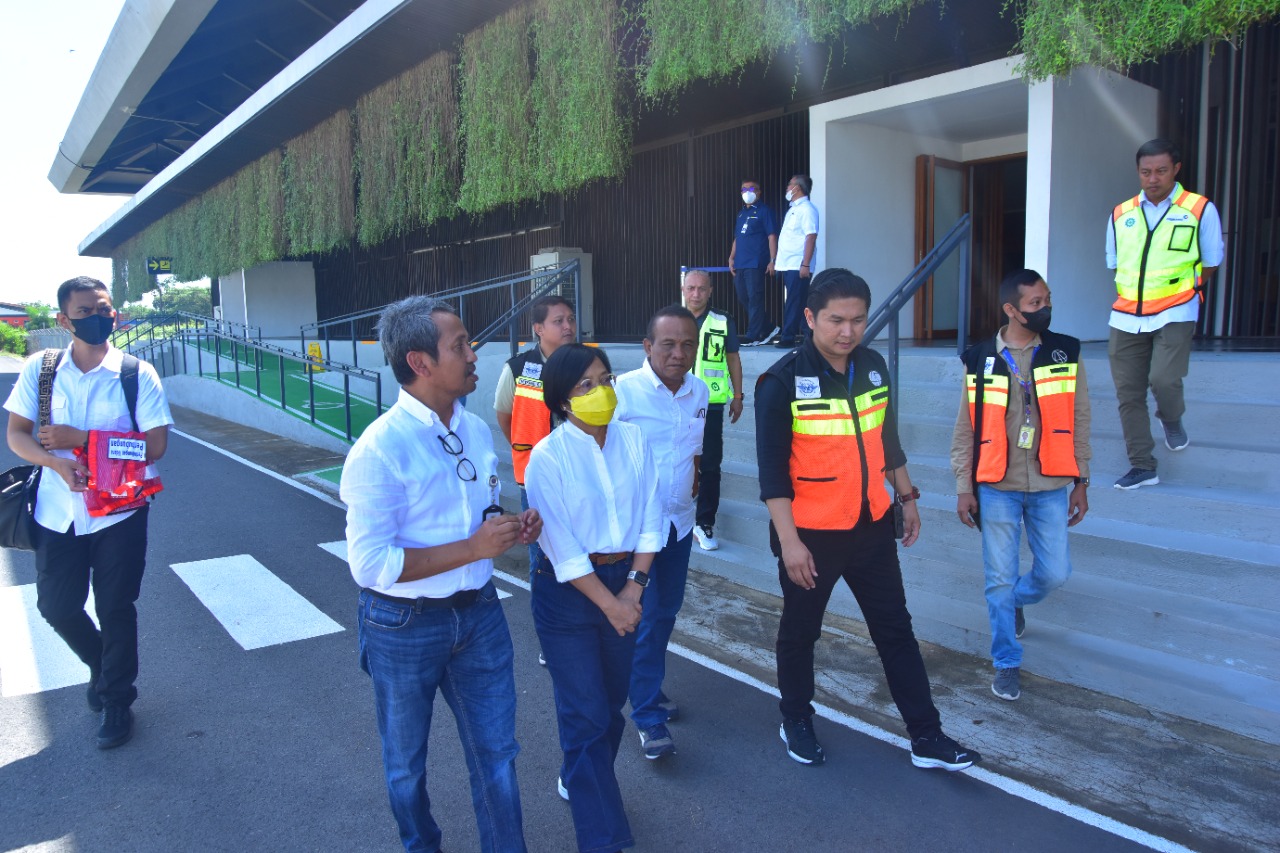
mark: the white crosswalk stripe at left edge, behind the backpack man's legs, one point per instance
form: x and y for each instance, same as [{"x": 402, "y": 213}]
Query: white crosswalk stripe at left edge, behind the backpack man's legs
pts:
[{"x": 33, "y": 658}]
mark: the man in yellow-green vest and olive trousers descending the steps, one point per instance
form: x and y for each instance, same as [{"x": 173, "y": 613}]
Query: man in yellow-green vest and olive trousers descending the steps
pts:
[{"x": 1163, "y": 272}]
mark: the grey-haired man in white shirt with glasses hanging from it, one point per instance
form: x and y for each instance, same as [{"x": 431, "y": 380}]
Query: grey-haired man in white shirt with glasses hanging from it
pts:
[{"x": 423, "y": 528}]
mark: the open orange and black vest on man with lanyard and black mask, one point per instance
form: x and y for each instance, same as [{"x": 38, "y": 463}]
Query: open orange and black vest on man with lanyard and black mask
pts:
[{"x": 990, "y": 384}]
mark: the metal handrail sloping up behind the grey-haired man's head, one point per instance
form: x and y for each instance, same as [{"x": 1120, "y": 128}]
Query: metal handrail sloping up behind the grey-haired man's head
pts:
[{"x": 555, "y": 276}]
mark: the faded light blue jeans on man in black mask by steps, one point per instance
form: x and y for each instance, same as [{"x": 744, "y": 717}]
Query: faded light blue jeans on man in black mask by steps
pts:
[{"x": 1045, "y": 514}]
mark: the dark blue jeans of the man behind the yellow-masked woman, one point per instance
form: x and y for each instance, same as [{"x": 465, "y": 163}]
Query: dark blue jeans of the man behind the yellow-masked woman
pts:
[{"x": 662, "y": 600}]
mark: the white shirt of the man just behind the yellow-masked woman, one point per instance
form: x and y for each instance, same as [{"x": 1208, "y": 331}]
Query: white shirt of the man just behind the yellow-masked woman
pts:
[{"x": 674, "y": 426}]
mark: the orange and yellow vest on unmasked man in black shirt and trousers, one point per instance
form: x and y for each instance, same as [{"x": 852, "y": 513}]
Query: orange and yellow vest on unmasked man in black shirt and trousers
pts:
[{"x": 838, "y": 451}]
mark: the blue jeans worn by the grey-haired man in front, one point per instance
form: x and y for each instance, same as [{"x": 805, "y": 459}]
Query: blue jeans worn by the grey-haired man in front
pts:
[{"x": 410, "y": 651}]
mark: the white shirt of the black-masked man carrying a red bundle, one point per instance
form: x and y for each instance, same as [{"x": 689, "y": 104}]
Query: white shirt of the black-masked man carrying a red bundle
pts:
[{"x": 93, "y": 400}]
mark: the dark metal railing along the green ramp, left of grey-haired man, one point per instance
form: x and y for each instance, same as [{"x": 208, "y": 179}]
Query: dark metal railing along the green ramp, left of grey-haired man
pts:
[{"x": 196, "y": 337}]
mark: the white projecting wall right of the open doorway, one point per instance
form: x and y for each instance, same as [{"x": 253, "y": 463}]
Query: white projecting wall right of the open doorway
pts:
[{"x": 1082, "y": 138}]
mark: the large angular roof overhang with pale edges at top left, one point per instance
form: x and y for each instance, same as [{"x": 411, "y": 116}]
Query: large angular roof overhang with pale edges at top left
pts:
[{"x": 369, "y": 45}]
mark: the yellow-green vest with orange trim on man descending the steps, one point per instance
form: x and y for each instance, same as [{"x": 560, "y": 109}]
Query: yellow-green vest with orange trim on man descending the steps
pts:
[{"x": 1158, "y": 268}]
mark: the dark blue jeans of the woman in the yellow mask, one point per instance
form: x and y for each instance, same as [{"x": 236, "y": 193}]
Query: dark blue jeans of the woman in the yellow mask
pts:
[{"x": 591, "y": 669}]
